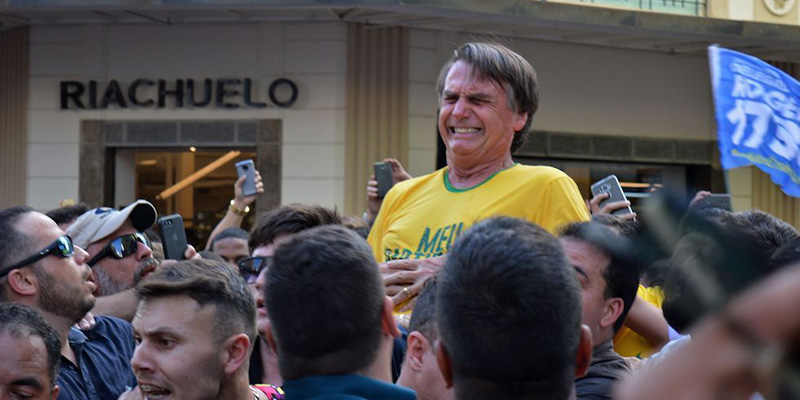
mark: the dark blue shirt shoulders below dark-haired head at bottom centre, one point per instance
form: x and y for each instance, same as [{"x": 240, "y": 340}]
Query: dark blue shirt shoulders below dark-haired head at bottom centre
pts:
[{"x": 344, "y": 387}]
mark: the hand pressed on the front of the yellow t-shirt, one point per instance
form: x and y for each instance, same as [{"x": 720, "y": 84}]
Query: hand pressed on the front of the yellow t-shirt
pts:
[{"x": 403, "y": 279}]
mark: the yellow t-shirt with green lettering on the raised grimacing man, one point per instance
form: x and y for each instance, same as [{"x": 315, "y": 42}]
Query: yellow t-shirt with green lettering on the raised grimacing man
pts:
[{"x": 422, "y": 217}]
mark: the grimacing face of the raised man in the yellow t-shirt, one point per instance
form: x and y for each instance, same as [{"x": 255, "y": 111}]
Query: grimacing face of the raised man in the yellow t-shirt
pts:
[{"x": 476, "y": 122}]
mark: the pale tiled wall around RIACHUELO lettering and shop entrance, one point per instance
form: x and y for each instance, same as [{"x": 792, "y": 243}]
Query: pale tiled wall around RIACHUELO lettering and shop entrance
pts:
[{"x": 313, "y": 55}]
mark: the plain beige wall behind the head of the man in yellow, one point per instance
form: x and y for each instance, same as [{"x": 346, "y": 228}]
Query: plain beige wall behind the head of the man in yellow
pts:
[{"x": 583, "y": 89}]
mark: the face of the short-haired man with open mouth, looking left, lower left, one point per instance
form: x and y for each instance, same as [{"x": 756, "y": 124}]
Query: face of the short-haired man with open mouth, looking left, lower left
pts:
[{"x": 177, "y": 356}]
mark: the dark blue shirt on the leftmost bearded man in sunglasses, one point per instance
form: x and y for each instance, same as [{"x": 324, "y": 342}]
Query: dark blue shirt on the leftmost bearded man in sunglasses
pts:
[{"x": 104, "y": 362}]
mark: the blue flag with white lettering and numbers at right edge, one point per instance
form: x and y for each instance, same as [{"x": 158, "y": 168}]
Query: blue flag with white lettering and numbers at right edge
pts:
[{"x": 758, "y": 112}]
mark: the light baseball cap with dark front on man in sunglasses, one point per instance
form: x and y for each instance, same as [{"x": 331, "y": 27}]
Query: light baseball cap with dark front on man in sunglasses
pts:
[{"x": 100, "y": 222}]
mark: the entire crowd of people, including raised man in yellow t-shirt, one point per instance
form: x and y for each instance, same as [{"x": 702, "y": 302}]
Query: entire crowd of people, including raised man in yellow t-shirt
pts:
[{"x": 485, "y": 278}]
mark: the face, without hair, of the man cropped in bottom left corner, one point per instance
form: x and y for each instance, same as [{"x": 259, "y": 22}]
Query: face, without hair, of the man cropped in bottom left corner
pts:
[{"x": 24, "y": 371}]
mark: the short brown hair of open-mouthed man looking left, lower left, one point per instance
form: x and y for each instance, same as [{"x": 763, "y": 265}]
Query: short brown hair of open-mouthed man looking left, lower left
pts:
[{"x": 207, "y": 283}]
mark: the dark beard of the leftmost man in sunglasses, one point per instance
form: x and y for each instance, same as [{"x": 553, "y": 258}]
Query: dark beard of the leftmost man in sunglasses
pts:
[{"x": 59, "y": 298}]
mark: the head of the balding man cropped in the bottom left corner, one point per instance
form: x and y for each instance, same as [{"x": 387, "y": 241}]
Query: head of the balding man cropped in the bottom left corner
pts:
[{"x": 26, "y": 338}]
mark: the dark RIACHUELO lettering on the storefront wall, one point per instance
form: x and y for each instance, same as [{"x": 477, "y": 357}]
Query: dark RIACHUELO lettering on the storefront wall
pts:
[{"x": 180, "y": 93}]
